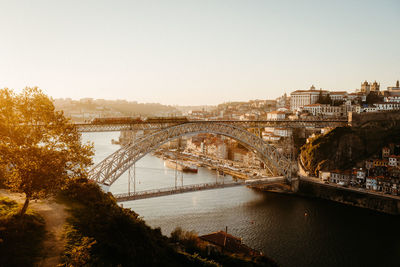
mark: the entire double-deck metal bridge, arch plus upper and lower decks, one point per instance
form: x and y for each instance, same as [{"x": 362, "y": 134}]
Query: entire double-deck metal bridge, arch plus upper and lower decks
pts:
[{"x": 112, "y": 167}]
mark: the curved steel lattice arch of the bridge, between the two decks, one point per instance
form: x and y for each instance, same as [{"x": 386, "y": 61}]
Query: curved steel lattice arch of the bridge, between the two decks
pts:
[{"x": 111, "y": 168}]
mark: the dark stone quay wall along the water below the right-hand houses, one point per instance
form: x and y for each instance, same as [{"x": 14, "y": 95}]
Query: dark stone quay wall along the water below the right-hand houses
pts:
[{"x": 385, "y": 204}]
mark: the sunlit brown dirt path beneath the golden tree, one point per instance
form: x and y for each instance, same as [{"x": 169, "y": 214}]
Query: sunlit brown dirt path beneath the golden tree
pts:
[{"x": 54, "y": 215}]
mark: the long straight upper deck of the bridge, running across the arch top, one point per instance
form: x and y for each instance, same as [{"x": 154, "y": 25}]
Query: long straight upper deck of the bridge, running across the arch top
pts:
[{"x": 113, "y": 127}]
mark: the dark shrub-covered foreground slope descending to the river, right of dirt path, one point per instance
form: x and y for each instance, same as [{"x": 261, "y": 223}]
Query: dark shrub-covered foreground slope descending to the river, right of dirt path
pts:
[{"x": 100, "y": 233}]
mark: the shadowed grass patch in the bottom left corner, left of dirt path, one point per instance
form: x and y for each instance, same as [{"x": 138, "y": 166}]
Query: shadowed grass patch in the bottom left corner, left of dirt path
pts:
[{"x": 21, "y": 238}]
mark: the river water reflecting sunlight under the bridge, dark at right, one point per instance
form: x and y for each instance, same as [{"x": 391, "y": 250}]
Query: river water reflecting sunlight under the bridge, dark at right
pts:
[{"x": 292, "y": 230}]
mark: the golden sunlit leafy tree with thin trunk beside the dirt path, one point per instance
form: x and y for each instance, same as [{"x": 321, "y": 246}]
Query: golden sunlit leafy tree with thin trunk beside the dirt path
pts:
[{"x": 39, "y": 147}]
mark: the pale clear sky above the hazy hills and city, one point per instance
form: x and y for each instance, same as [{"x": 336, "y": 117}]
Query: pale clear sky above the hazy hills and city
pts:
[{"x": 196, "y": 52}]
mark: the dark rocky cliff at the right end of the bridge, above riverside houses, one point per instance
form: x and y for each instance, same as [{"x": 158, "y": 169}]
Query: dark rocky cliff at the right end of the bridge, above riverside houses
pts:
[{"x": 344, "y": 147}]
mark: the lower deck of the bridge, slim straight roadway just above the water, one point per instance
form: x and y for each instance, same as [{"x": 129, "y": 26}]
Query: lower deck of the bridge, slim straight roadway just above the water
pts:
[{"x": 192, "y": 188}]
